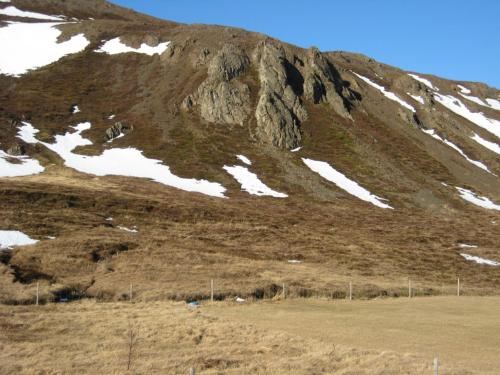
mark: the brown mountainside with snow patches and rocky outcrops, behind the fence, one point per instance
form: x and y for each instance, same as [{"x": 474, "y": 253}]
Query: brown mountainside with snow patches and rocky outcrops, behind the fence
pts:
[{"x": 140, "y": 151}]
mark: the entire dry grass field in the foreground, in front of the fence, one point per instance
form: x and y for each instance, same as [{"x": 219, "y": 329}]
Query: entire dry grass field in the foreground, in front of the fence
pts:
[{"x": 394, "y": 336}]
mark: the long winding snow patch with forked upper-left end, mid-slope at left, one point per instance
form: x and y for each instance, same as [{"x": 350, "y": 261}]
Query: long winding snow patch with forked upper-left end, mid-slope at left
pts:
[{"x": 117, "y": 161}]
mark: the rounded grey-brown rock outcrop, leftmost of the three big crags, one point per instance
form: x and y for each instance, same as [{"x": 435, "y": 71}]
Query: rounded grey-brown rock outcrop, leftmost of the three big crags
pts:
[{"x": 221, "y": 98}]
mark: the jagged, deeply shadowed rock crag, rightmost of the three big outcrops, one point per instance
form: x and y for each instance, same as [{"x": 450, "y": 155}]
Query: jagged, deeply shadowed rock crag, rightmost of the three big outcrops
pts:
[{"x": 323, "y": 84}]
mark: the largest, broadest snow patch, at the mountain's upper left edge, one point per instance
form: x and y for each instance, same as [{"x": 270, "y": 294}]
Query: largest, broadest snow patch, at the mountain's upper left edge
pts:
[{"x": 26, "y": 46}]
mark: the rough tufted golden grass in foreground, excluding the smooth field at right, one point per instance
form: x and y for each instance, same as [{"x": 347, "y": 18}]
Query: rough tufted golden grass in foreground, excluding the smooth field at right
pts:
[{"x": 91, "y": 338}]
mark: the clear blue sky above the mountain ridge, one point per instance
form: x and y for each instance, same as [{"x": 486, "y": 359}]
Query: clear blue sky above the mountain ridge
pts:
[{"x": 455, "y": 39}]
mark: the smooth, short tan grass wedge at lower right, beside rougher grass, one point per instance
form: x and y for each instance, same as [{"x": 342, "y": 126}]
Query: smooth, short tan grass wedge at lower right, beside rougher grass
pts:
[{"x": 463, "y": 332}]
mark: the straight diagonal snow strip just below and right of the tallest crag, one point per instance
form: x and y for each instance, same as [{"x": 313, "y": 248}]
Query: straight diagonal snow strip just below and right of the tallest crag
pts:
[{"x": 326, "y": 171}]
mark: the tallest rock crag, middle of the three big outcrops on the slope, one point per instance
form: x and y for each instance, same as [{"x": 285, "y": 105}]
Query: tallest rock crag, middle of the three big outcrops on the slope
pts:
[{"x": 279, "y": 110}]
